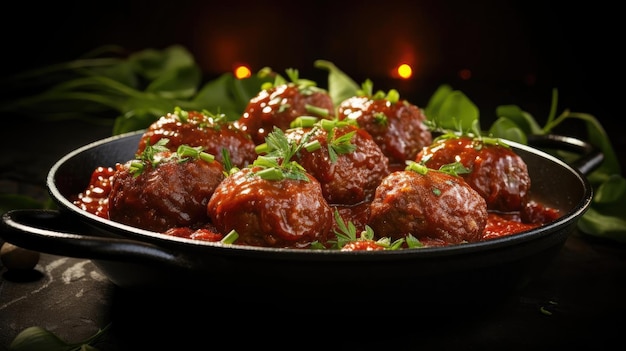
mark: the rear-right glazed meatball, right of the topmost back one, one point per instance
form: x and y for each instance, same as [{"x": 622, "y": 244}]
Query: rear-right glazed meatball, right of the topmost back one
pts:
[{"x": 397, "y": 127}]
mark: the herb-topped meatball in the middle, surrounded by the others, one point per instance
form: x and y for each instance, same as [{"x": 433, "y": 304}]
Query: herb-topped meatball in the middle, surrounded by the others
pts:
[{"x": 350, "y": 177}]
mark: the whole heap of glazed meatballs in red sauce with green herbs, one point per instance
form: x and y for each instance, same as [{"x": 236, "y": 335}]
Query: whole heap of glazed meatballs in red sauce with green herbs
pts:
[{"x": 374, "y": 171}]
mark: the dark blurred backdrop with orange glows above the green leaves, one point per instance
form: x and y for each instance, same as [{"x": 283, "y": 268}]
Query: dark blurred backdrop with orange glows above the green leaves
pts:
[{"x": 516, "y": 51}]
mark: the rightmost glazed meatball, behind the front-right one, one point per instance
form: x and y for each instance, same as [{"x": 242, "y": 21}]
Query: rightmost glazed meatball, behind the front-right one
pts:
[{"x": 497, "y": 173}]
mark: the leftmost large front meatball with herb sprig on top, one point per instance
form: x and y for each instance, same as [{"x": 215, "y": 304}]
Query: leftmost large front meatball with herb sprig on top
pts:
[{"x": 166, "y": 191}]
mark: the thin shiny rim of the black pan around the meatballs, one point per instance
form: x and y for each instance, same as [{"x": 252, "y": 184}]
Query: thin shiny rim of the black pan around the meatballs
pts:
[{"x": 562, "y": 223}]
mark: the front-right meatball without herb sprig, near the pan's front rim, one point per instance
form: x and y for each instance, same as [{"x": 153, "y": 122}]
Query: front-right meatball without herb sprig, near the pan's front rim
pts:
[{"x": 435, "y": 207}]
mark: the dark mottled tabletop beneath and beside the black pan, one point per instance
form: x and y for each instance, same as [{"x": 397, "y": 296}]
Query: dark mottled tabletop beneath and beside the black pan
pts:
[{"x": 577, "y": 302}]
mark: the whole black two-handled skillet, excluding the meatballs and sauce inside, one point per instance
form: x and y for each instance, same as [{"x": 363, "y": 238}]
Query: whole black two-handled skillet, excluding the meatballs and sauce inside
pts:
[{"x": 137, "y": 259}]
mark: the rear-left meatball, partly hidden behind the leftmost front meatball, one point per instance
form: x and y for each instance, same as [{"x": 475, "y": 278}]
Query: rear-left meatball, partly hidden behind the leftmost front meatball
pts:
[{"x": 194, "y": 128}]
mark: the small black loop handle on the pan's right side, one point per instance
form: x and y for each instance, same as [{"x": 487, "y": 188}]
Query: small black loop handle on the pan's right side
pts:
[{"x": 590, "y": 156}]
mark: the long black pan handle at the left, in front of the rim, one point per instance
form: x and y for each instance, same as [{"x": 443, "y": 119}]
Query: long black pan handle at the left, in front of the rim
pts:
[{"x": 50, "y": 231}]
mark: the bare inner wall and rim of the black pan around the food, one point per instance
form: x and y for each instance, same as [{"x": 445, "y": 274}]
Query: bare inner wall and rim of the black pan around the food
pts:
[{"x": 554, "y": 183}]
